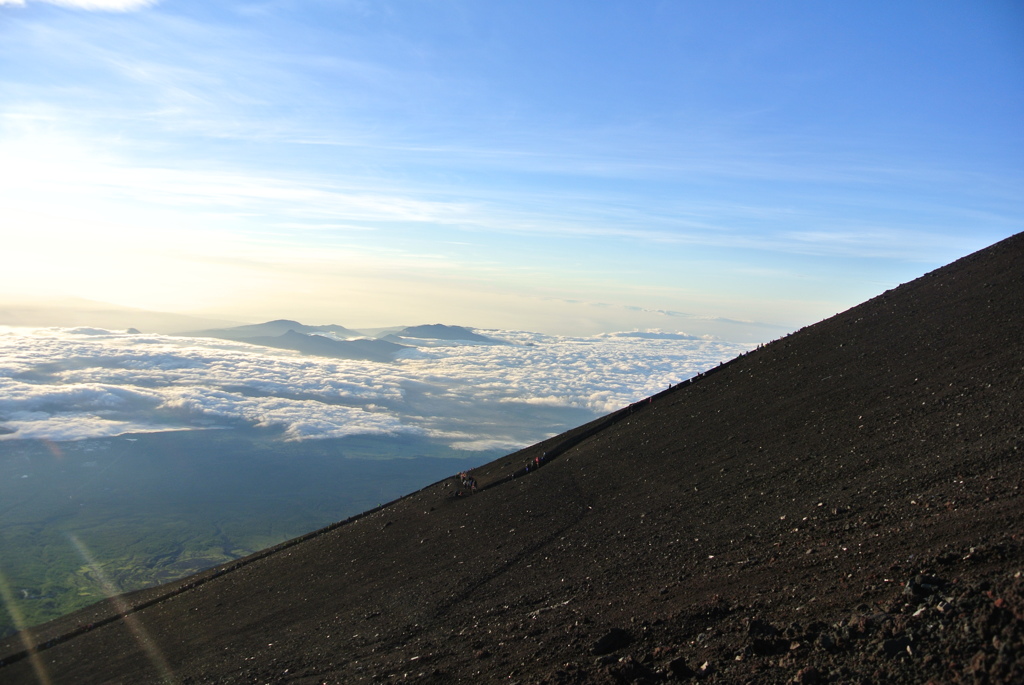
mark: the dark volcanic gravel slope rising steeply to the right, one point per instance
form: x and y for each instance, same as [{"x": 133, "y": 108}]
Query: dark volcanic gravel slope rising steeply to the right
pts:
[{"x": 842, "y": 505}]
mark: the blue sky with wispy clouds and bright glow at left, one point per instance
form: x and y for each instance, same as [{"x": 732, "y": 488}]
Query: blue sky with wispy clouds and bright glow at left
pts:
[{"x": 565, "y": 167}]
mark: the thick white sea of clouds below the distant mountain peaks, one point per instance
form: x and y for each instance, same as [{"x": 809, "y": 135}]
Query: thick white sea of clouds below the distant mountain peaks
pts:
[{"x": 69, "y": 384}]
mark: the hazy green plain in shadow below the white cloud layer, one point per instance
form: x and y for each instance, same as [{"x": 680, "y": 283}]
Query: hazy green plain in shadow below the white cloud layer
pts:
[{"x": 80, "y": 522}]
